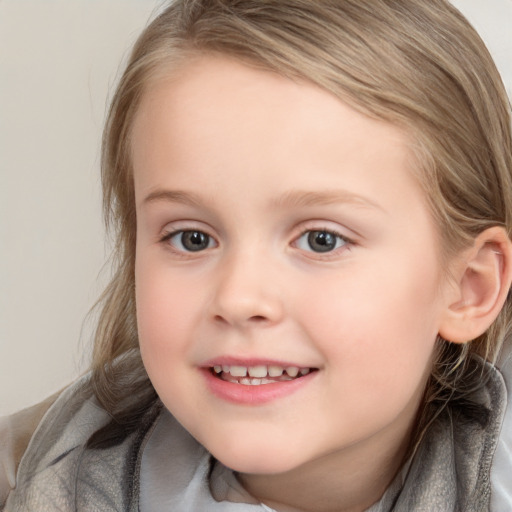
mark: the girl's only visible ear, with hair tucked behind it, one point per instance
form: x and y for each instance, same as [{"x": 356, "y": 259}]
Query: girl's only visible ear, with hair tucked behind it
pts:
[{"x": 482, "y": 282}]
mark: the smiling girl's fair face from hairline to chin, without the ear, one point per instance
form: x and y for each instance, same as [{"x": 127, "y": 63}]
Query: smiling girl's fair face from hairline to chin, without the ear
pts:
[{"x": 300, "y": 240}]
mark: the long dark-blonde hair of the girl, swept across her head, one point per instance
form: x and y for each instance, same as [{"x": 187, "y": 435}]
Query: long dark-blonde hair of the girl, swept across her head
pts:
[{"x": 416, "y": 64}]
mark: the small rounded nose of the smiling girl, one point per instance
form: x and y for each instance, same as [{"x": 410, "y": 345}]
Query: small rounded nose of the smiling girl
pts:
[{"x": 247, "y": 292}]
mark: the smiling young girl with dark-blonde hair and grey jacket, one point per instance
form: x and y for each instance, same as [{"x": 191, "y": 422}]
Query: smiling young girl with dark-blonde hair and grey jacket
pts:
[{"x": 313, "y": 208}]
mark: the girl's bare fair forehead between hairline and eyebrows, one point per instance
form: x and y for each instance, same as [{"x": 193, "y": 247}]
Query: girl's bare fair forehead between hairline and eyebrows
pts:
[{"x": 212, "y": 100}]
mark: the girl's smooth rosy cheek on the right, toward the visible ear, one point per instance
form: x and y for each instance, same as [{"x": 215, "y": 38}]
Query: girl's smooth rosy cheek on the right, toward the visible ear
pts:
[{"x": 376, "y": 325}]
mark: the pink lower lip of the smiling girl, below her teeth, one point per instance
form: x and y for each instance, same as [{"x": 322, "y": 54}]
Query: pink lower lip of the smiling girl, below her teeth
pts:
[{"x": 253, "y": 395}]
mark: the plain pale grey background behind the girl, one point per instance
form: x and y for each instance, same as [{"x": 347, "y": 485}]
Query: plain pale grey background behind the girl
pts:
[{"x": 59, "y": 60}]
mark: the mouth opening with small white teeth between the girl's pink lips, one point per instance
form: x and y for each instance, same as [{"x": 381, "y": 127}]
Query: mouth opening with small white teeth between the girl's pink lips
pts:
[{"x": 258, "y": 375}]
